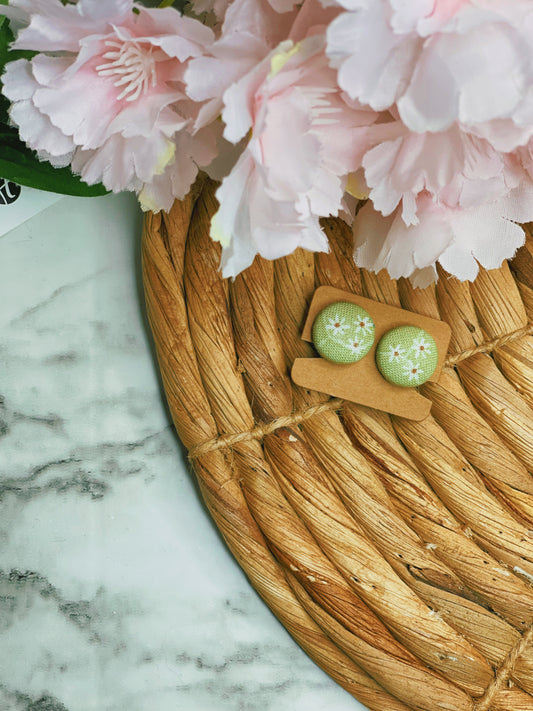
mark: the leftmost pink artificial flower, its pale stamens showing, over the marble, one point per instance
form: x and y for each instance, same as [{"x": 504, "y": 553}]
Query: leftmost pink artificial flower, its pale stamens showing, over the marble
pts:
[{"x": 106, "y": 93}]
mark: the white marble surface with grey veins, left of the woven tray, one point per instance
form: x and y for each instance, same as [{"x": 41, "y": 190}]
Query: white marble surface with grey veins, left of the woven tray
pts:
[{"x": 116, "y": 591}]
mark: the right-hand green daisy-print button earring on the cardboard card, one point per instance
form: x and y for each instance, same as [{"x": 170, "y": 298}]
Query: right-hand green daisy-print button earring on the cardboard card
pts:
[{"x": 407, "y": 356}]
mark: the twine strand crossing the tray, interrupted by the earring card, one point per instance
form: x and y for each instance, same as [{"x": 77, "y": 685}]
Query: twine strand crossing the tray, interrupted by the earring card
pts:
[{"x": 262, "y": 430}]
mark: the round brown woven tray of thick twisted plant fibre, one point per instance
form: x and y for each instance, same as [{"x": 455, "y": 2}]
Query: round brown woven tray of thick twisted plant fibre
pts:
[{"x": 398, "y": 554}]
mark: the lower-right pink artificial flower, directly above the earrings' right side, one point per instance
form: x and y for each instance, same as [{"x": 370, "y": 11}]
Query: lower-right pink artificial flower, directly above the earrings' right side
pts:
[{"x": 447, "y": 197}]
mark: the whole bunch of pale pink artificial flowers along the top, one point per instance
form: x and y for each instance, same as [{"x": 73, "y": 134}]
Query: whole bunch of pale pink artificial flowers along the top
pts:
[{"x": 425, "y": 107}]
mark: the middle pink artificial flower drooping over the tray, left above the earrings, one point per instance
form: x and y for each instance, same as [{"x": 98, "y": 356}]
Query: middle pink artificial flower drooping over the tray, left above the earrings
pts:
[{"x": 304, "y": 140}]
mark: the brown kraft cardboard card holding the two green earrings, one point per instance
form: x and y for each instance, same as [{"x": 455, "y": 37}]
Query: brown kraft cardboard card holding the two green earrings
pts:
[{"x": 362, "y": 382}]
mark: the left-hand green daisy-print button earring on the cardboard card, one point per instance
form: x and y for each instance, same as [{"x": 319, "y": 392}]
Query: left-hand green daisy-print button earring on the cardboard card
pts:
[{"x": 343, "y": 333}]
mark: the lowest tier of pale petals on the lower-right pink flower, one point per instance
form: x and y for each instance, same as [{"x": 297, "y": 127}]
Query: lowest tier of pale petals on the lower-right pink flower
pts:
[{"x": 459, "y": 239}]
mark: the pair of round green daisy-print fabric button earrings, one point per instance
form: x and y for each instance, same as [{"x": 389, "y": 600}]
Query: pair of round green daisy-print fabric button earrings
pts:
[{"x": 344, "y": 332}]
